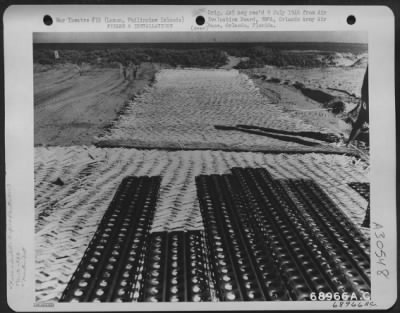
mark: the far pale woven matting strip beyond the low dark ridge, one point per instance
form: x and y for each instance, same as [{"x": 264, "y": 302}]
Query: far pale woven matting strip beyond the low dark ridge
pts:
[{"x": 181, "y": 108}]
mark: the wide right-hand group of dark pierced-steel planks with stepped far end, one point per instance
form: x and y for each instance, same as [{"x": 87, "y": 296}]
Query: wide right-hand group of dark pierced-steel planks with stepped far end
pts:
[{"x": 315, "y": 247}]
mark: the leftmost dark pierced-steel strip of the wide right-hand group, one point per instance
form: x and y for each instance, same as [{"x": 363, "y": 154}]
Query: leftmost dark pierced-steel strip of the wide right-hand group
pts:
[{"x": 242, "y": 269}]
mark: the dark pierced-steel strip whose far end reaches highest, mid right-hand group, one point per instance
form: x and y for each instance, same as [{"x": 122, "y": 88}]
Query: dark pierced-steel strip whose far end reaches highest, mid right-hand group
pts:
[{"x": 301, "y": 272}]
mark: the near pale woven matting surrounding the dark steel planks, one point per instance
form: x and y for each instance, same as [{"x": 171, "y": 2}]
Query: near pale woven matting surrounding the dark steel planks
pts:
[{"x": 68, "y": 214}]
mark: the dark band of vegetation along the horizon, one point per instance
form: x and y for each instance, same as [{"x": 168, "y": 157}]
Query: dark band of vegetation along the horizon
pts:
[{"x": 195, "y": 55}]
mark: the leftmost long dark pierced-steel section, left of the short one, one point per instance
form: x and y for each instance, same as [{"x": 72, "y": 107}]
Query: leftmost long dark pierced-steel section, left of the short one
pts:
[{"x": 108, "y": 269}]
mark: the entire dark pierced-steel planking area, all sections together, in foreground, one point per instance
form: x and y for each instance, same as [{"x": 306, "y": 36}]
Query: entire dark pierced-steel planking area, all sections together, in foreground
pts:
[{"x": 265, "y": 240}]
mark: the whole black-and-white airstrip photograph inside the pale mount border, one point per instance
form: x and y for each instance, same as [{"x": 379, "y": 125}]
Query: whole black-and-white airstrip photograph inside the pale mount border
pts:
[{"x": 181, "y": 170}]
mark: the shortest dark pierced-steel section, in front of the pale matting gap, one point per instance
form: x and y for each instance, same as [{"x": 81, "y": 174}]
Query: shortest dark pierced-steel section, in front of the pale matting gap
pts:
[{"x": 176, "y": 268}]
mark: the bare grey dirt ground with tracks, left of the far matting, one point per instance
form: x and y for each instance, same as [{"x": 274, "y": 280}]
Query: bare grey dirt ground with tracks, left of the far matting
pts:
[{"x": 73, "y": 106}]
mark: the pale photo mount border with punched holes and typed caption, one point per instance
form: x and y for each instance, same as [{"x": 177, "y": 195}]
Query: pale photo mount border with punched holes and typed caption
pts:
[{"x": 21, "y": 21}]
